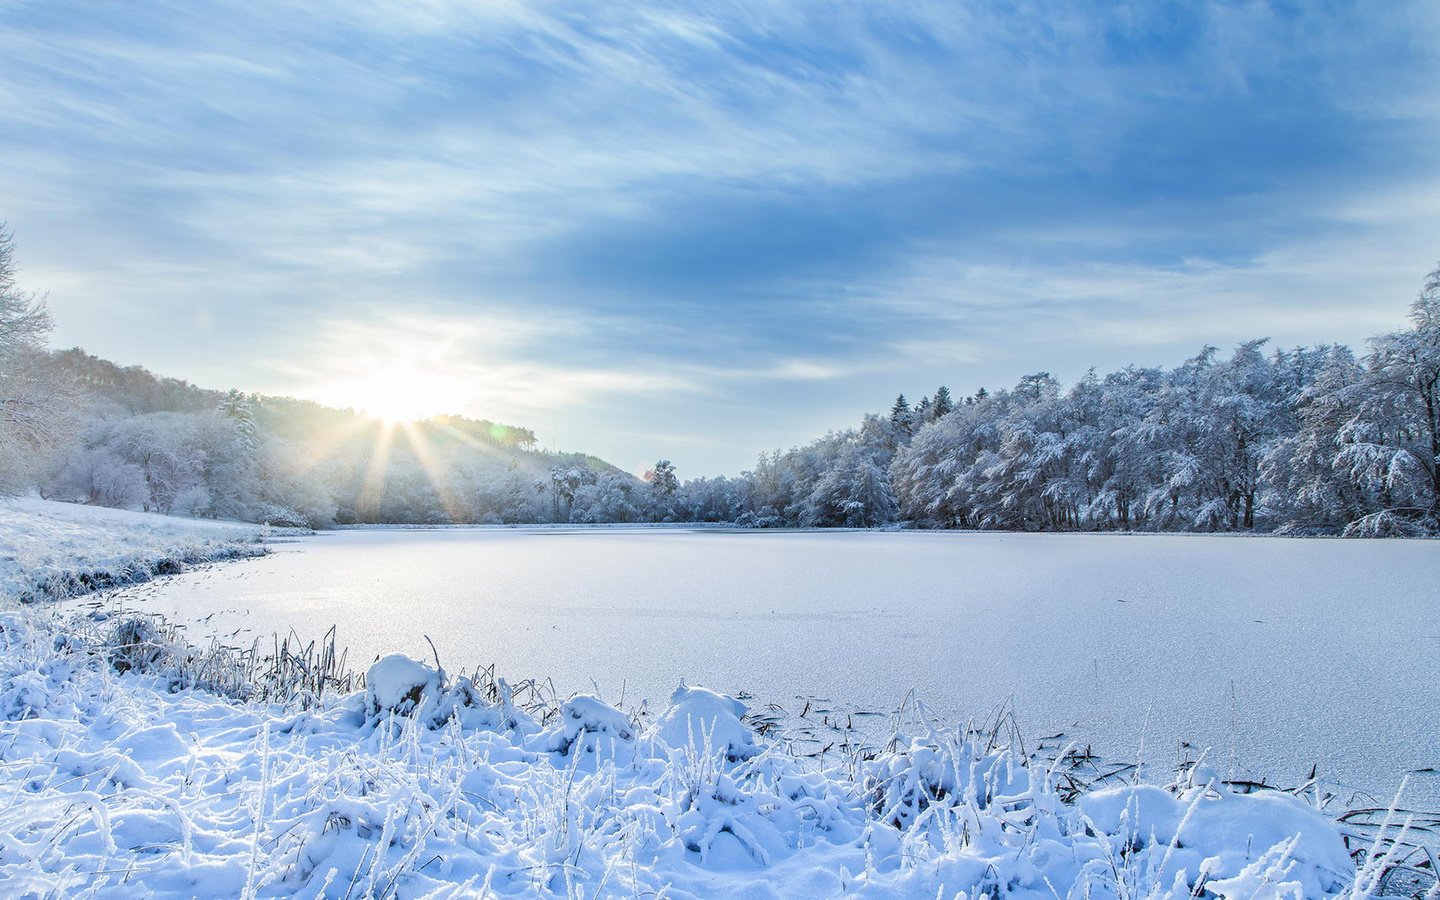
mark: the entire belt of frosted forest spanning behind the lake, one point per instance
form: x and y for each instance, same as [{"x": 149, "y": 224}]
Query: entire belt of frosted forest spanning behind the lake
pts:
[{"x": 1305, "y": 441}]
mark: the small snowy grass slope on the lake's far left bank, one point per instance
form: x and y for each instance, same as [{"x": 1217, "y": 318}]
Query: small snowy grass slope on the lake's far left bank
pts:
[{"x": 61, "y": 549}]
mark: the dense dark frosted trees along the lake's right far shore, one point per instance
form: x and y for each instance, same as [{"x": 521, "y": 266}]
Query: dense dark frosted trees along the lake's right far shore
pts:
[{"x": 1305, "y": 441}]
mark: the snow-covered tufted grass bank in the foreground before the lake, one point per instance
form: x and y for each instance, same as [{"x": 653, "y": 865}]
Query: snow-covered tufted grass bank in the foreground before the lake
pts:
[{"x": 133, "y": 783}]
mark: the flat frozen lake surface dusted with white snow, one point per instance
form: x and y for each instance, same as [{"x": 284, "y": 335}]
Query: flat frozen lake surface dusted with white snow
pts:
[{"x": 1278, "y": 654}]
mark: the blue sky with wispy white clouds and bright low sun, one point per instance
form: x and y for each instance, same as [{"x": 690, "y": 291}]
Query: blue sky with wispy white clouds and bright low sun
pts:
[{"x": 701, "y": 233}]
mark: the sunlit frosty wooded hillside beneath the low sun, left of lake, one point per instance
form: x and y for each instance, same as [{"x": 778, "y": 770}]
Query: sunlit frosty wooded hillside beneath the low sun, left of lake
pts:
[{"x": 142, "y": 441}]
